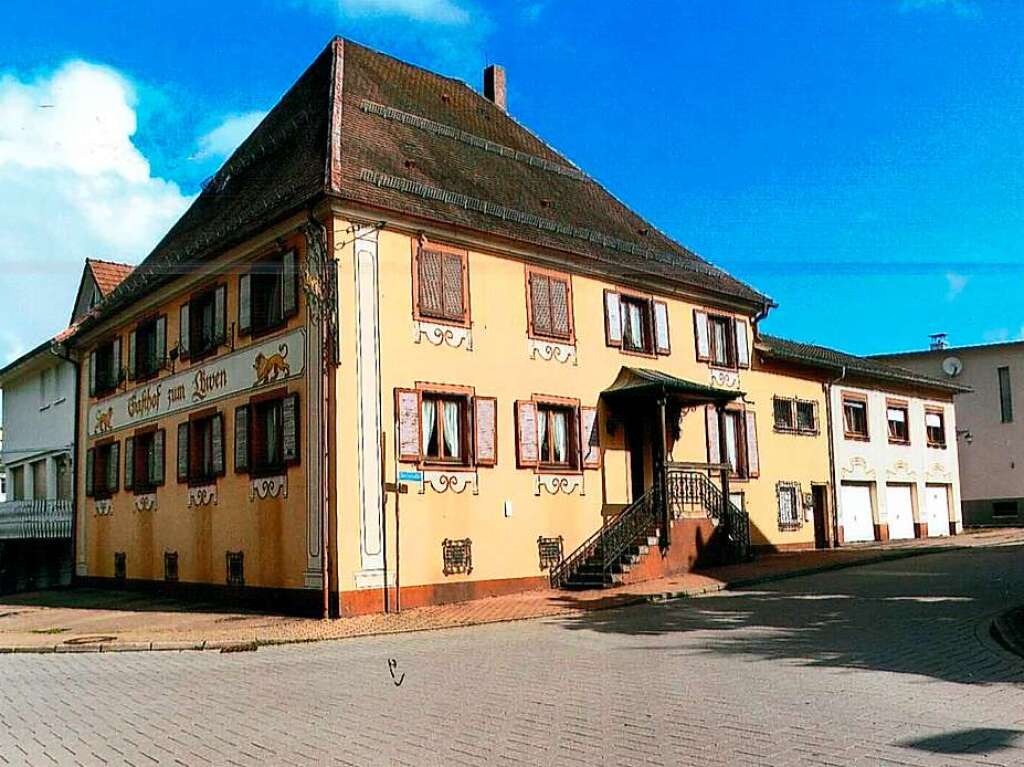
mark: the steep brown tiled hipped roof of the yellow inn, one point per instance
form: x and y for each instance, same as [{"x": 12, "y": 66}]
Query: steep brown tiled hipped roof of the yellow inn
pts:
[{"x": 376, "y": 133}]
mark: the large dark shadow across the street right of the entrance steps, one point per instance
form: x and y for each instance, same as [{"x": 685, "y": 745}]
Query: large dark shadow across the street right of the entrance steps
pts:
[{"x": 915, "y": 616}]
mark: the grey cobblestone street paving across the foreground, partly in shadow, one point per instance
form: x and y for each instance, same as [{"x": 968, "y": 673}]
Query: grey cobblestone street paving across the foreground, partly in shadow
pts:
[{"x": 885, "y": 664}]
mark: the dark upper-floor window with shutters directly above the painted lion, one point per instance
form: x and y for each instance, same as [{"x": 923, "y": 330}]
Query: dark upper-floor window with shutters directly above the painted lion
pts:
[{"x": 269, "y": 295}]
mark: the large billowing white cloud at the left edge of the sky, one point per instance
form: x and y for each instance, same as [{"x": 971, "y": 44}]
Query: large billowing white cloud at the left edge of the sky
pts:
[{"x": 73, "y": 185}]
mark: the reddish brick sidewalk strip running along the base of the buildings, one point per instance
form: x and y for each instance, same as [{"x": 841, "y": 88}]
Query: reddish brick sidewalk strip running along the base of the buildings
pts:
[{"x": 89, "y": 620}]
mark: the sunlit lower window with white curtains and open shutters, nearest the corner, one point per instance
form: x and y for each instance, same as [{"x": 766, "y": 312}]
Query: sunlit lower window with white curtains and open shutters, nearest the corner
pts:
[{"x": 450, "y": 425}]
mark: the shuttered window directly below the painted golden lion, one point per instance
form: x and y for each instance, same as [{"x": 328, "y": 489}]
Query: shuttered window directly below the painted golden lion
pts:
[{"x": 267, "y": 435}]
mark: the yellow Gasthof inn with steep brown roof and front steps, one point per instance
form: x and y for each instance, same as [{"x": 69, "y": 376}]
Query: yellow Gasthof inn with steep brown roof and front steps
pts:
[{"x": 399, "y": 346}]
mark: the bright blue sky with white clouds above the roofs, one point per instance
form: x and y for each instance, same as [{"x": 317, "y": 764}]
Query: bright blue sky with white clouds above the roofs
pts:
[{"x": 862, "y": 162}]
